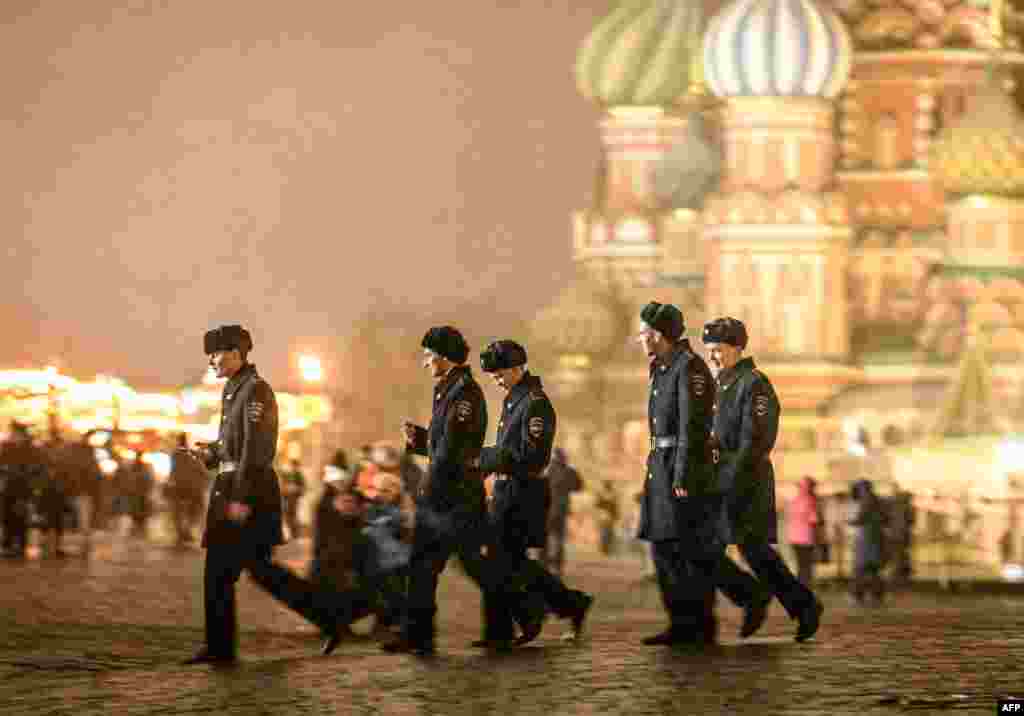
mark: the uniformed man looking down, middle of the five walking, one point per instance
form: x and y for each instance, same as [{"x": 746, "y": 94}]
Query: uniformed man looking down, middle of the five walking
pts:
[{"x": 521, "y": 496}]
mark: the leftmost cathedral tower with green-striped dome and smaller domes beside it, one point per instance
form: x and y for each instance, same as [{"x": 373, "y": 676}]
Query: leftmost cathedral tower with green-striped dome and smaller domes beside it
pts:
[{"x": 641, "y": 239}]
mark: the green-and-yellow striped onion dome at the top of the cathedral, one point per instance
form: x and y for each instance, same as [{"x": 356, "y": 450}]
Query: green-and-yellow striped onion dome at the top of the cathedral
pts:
[{"x": 643, "y": 54}]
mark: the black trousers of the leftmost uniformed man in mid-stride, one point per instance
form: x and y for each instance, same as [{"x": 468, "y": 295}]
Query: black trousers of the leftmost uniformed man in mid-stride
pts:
[{"x": 225, "y": 564}]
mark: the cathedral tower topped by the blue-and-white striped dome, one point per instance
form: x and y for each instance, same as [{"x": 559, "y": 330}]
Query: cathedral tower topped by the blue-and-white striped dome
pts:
[{"x": 778, "y": 233}]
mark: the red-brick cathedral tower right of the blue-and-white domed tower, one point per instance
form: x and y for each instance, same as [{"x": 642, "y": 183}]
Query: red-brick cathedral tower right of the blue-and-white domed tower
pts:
[{"x": 916, "y": 67}]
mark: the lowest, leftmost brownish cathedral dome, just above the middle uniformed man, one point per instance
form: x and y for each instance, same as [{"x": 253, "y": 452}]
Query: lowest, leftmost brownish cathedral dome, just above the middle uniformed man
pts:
[{"x": 583, "y": 321}]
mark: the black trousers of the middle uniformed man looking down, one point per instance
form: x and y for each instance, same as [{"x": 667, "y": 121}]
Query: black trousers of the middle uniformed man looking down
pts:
[{"x": 511, "y": 554}]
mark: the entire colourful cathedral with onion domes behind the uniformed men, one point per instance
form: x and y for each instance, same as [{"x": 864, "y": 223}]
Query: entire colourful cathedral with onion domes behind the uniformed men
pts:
[{"x": 846, "y": 178}]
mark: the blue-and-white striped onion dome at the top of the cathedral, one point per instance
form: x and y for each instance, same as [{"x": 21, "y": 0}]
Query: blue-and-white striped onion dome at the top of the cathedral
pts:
[{"x": 777, "y": 49}]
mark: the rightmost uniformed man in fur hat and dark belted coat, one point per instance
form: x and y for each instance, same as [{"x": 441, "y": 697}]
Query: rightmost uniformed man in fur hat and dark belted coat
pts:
[{"x": 747, "y": 414}]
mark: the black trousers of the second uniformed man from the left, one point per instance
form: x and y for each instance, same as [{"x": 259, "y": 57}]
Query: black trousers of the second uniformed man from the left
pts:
[{"x": 438, "y": 537}]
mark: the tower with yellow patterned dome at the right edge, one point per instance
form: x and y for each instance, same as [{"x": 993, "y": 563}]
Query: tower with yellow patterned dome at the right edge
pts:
[{"x": 977, "y": 290}]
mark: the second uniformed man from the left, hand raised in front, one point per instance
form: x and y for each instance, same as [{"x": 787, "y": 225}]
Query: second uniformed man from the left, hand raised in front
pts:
[{"x": 450, "y": 513}]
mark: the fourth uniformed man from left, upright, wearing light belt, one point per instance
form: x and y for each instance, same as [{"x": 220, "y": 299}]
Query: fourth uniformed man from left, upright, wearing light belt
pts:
[{"x": 680, "y": 512}]
